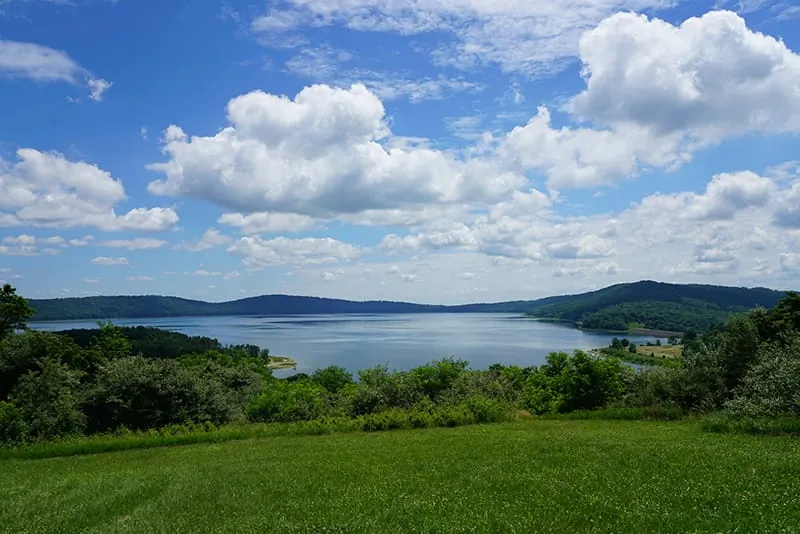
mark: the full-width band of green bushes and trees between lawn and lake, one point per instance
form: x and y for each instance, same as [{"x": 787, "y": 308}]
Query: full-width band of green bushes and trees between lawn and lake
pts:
[{"x": 54, "y": 385}]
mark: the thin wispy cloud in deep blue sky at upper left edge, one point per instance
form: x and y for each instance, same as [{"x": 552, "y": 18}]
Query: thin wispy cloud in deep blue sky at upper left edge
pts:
[{"x": 44, "y": 64}]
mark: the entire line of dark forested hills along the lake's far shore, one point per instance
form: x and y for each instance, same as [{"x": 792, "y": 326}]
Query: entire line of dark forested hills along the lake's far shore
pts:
[{"x": 647, "y": 304}]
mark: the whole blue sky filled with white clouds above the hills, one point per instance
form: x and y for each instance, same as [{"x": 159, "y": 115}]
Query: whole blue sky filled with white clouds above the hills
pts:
[{"x": 438, "y": 151}]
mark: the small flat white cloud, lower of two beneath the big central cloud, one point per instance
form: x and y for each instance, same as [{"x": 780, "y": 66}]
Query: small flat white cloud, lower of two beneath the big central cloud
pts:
[{"x": 259, "y": 253}]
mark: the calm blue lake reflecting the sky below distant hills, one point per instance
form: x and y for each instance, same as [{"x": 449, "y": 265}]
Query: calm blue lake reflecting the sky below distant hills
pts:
[{"x": 400, "y": 341}]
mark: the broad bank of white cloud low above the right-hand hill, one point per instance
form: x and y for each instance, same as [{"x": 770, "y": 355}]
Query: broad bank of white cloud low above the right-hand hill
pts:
[{"x": 727, "y": 231}]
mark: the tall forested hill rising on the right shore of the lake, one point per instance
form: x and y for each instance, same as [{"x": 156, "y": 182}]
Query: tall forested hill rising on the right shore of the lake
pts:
[{"x": 656, "y": 305}]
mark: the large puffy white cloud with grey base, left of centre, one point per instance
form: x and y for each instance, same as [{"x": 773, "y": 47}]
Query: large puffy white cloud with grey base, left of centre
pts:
[{"x": 318, "y": 154}]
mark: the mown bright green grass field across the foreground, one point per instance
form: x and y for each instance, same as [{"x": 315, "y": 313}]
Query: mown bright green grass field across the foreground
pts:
[{"x": 529, "y": 476}]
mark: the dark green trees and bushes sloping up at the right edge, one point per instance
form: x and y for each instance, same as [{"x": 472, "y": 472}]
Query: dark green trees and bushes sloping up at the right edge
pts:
[{"x": 748, "y": 368}]
